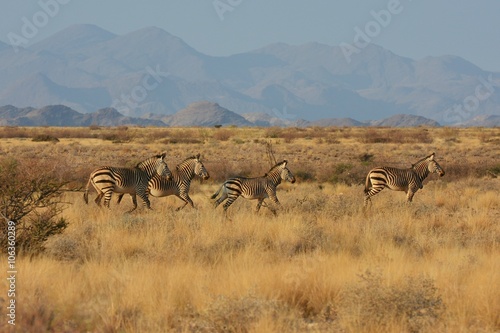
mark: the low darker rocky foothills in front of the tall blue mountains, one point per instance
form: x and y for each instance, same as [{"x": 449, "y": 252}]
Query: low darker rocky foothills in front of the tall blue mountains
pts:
[{"x": 198, "y": 114}]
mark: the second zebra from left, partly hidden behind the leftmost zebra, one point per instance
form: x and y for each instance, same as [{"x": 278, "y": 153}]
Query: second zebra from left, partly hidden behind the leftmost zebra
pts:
[{"x": 184, "y": 172}]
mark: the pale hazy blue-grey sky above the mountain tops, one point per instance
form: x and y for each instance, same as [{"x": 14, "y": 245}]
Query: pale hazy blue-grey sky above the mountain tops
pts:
[{"x": 415, "y": 29}]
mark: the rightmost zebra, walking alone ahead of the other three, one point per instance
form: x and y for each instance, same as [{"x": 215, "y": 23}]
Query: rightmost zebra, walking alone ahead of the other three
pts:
[{"x": 408, "y": 180}]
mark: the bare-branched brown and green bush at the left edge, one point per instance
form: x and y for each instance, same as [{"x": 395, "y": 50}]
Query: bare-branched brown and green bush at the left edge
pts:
[{"x": 30, "y": 196}]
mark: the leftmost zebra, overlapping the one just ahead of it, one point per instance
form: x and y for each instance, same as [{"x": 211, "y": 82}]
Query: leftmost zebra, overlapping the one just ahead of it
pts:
[{"x": 107, "y": 180}]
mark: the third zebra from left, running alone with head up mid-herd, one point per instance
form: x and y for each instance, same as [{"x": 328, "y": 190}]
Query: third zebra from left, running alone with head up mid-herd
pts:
[{"x": 258, "y": 188}]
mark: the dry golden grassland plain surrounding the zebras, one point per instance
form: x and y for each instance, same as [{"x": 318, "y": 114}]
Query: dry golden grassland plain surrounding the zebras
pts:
[{"x": 320, "y": 265}]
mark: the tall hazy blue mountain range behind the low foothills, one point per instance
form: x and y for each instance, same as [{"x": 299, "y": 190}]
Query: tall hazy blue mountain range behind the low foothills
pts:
[{"x": 151, "y": 73}]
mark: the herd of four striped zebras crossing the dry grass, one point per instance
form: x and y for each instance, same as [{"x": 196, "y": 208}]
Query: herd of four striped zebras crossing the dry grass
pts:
[{"x": 153, "y": 177}]
